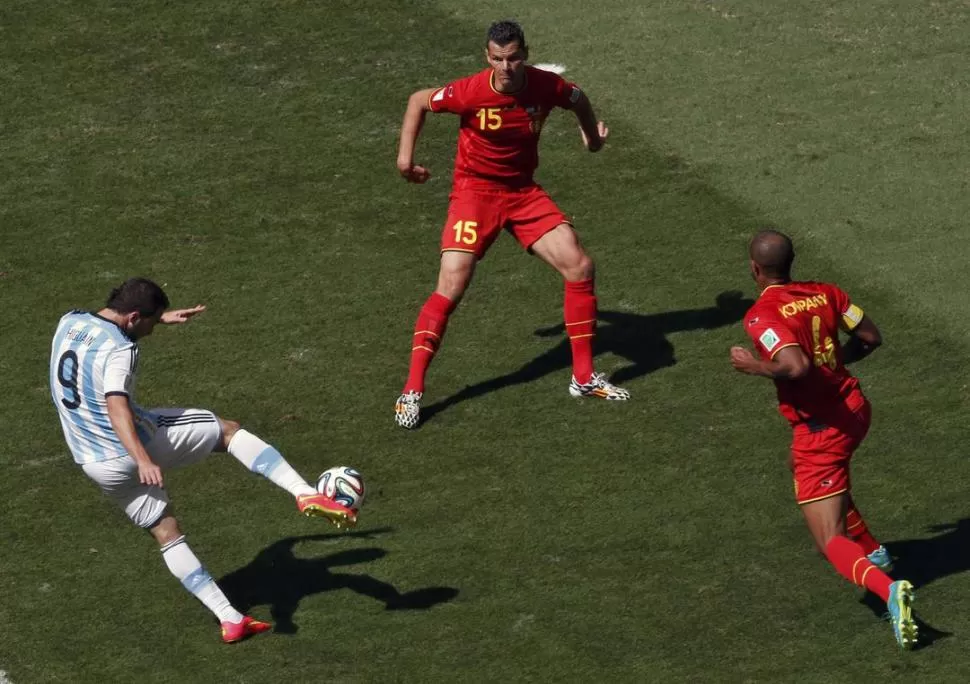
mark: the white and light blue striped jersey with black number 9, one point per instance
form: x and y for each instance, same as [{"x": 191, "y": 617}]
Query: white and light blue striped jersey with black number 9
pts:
[{"x": 91, "y": 359}]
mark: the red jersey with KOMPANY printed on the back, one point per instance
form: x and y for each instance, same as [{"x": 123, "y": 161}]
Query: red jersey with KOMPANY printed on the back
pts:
[{"x": 808, "y": 315}]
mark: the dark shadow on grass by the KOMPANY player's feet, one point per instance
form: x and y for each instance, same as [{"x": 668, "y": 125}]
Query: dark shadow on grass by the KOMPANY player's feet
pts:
[{"x": 925, "y": 560}]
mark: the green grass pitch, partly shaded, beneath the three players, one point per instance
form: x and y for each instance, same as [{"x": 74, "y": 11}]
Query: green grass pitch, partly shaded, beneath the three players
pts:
[{"x": 242, "y": 154}]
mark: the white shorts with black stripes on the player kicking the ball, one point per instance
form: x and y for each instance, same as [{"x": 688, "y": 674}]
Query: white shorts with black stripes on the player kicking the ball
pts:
[{"x": 182, "y": 437}]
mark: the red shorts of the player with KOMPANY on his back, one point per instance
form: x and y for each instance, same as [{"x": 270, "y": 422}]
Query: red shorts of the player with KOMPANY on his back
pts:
[{"x": 820, "y": 455}]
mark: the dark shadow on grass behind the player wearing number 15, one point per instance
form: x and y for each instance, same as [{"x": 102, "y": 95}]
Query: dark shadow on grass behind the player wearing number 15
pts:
[{"x": 638, "y": 338}]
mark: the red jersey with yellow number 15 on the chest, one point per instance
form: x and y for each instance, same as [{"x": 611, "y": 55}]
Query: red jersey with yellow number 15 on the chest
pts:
[{"x": 498, "y": 137}]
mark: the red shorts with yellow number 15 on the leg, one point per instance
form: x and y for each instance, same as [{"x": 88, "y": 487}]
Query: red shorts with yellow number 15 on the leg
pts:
[{"x": 476, "y": 217}]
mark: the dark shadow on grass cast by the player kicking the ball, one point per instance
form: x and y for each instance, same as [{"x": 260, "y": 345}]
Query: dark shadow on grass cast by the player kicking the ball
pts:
[{"x": 278, "y": 578}]
